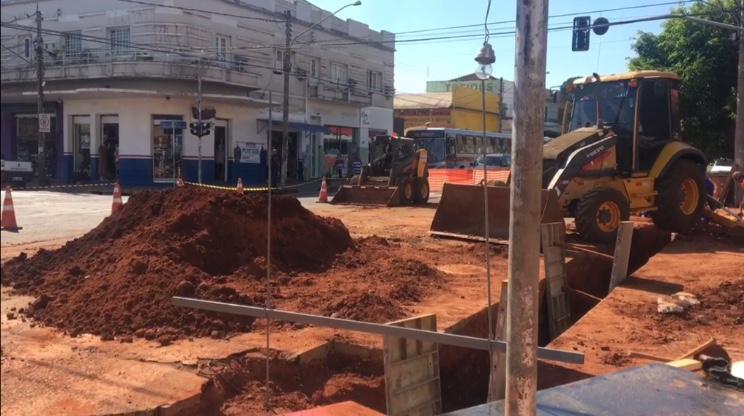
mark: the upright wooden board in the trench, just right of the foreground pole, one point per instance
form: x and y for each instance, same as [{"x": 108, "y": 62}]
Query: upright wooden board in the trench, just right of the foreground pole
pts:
[{"x": 556, "y": 281}]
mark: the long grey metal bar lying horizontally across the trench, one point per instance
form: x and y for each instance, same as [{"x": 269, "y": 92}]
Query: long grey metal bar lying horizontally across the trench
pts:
[{"x": 572, "y": 357}]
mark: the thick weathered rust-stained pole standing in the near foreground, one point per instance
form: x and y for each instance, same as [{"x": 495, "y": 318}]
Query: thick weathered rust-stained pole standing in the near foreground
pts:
[{"x": 525, "y": 212}]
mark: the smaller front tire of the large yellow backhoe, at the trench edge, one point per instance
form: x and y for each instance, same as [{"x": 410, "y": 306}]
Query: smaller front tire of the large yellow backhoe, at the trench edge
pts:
[{"x": 599, "y": 213}]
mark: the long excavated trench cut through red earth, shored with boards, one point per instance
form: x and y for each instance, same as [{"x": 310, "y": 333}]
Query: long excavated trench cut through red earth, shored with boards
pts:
[{"x": 341, "y": 372}]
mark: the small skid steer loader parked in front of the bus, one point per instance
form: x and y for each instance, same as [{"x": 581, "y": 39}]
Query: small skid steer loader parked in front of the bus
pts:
[{"x": 396, "y": 175}]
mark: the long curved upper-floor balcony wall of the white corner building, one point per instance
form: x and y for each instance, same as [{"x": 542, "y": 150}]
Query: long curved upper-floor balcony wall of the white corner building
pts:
[{"x": 131, "y": 64}]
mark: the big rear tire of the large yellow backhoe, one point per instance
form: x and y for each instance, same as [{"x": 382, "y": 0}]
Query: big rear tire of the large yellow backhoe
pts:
[{"x": 680, "y": 197}]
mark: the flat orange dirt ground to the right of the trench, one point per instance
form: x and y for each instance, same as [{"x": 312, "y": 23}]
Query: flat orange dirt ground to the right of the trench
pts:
[{"x": 710, "y": 268}]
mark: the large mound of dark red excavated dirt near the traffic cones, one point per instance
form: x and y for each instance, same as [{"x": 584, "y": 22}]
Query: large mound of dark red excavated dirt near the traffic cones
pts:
[{"x": 118, "y": 279}]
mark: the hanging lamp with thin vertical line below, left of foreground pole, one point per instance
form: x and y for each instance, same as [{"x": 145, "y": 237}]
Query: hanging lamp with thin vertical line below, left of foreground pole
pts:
[{"x": 483, "y": 71}]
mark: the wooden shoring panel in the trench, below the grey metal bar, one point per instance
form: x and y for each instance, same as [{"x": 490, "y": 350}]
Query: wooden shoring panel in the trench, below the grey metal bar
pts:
[{"x": 412, "y": 384}]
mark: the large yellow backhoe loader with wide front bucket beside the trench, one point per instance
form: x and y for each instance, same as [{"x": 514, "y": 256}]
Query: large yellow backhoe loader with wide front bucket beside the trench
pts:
[{"x": 619, "y": 151}]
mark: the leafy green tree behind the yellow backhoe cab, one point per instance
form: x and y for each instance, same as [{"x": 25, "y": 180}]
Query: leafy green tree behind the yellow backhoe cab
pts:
[{"x": 706, "y": 59}]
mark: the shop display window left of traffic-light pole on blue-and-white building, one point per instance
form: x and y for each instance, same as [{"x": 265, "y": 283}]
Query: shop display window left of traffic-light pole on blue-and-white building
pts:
[{"x": 166, "y": 149}]
